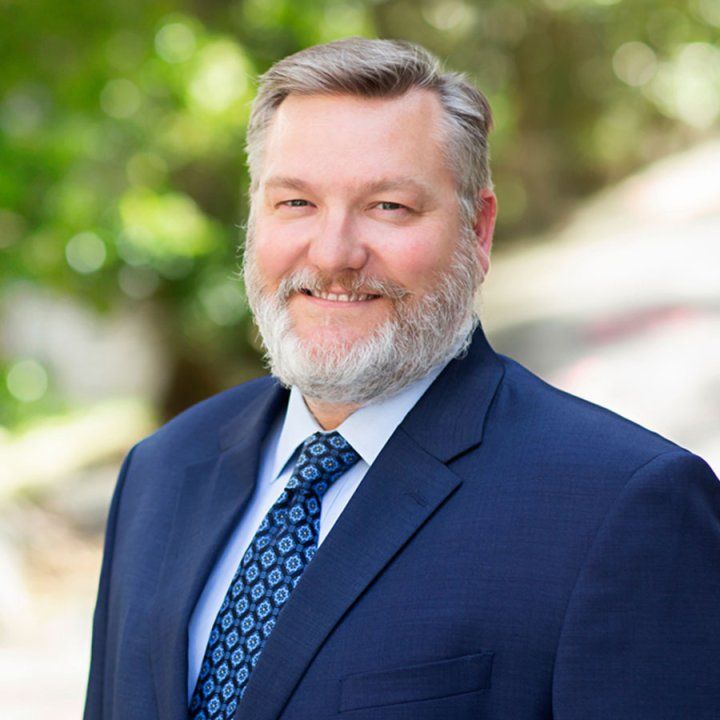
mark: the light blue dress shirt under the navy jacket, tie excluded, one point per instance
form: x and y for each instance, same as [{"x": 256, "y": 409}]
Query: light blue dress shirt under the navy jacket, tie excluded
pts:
[{"x": 367, "y": 430}]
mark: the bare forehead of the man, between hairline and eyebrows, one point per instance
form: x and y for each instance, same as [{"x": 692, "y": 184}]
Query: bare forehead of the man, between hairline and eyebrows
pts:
[{"x": 353, "y": 139}]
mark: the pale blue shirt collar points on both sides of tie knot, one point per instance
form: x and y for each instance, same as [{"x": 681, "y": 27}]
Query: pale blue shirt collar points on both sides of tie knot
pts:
[{"x": 368, "y": 429}]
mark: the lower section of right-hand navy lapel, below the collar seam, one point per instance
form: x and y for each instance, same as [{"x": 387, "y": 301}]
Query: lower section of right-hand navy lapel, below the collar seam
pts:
[{"x": 399, "y": 493}]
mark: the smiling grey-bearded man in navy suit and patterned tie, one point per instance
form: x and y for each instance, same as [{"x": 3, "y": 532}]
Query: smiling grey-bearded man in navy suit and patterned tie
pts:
[{"x": 419, "y": 528}]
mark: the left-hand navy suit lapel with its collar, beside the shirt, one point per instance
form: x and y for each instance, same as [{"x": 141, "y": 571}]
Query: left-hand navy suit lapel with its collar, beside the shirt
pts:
[{"x": 210, "y": 500}]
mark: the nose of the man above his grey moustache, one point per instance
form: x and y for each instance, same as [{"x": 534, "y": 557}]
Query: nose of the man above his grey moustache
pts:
[{"x": 335, "y": 246}]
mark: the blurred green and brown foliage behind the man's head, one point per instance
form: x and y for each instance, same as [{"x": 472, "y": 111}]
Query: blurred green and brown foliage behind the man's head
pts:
[{"x": 122, "y": 176}]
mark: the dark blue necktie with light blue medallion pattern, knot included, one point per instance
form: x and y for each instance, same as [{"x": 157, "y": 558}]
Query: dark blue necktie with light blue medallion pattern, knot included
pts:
[{"x": 284, "y": 544}]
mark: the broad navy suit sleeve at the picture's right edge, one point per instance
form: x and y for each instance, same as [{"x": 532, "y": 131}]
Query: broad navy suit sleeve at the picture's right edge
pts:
[{"x": 641, "y": 635}]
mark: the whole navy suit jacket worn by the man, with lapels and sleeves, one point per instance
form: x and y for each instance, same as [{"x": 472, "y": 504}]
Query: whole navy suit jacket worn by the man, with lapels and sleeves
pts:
[{"x": 514, "y": 553}]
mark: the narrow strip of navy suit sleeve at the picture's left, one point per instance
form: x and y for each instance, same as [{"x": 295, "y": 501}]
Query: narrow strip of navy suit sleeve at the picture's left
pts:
[{"x": 94, "y": 700}]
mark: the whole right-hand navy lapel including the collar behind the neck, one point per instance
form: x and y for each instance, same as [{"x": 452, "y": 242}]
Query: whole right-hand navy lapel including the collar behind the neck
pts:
[{"x": 407, "y": 483}]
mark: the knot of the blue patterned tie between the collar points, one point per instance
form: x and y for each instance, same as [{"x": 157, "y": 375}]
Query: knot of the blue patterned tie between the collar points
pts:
[{"x": 324, "y": 457}]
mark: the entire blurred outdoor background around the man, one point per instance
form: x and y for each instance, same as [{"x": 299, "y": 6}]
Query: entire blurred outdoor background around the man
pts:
[{"x": 122, "y": 198}]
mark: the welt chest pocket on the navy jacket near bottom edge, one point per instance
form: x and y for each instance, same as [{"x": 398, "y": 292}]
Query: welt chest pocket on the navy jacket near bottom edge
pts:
[{"x": 428, "y": 681}]
